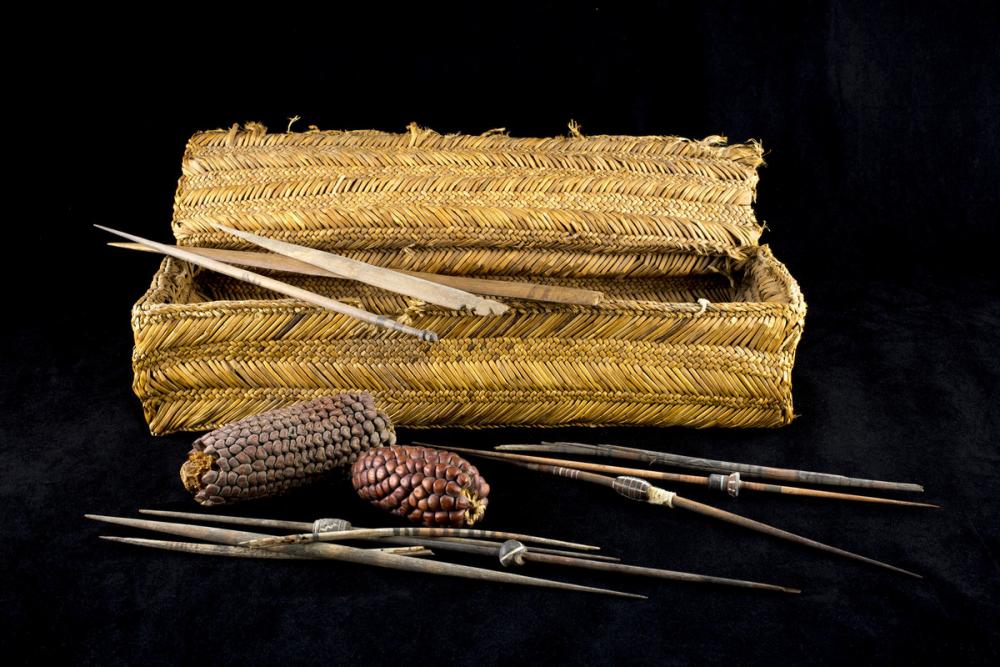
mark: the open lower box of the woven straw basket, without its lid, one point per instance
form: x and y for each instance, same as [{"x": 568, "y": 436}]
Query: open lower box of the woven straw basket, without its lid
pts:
[{"x": 698, "y": 351}]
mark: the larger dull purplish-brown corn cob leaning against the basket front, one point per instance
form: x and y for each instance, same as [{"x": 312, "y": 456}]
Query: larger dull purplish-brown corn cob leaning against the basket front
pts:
[{"x": 276, "y": 451}]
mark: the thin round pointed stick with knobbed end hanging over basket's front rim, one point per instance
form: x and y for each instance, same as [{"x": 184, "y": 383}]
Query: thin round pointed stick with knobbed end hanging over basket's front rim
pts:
[{"x": 280, "y": 287}]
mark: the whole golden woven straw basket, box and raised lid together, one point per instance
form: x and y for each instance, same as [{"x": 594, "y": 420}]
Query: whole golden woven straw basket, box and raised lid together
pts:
[{"x": 657, "y": 223}]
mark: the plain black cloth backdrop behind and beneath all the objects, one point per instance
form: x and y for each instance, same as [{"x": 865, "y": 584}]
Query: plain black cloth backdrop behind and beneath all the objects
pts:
[{"x": 880, "y": 194}]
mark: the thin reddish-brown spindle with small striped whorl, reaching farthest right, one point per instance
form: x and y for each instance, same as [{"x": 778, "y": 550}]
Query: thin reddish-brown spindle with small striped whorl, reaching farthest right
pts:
[{"x": 731, "y": 484}]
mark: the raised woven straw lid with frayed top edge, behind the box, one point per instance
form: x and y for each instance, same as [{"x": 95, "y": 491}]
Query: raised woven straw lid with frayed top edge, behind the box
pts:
[{"x": 486, "y": 204}]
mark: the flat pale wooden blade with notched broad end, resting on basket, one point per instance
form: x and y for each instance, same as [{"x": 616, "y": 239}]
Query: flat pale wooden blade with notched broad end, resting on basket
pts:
[{"x": 376, "y": 276}]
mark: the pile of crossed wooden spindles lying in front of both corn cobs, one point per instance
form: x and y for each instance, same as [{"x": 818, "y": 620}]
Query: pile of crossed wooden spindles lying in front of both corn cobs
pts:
[{"x": 320, "y": 540}]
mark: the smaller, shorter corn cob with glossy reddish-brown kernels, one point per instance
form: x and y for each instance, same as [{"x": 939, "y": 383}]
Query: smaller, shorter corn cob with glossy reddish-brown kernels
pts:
[{"x": 429, "y": 486}]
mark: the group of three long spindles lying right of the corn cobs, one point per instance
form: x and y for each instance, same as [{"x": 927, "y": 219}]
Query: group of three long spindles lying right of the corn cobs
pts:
[{"x": 633, "y": 484}]
